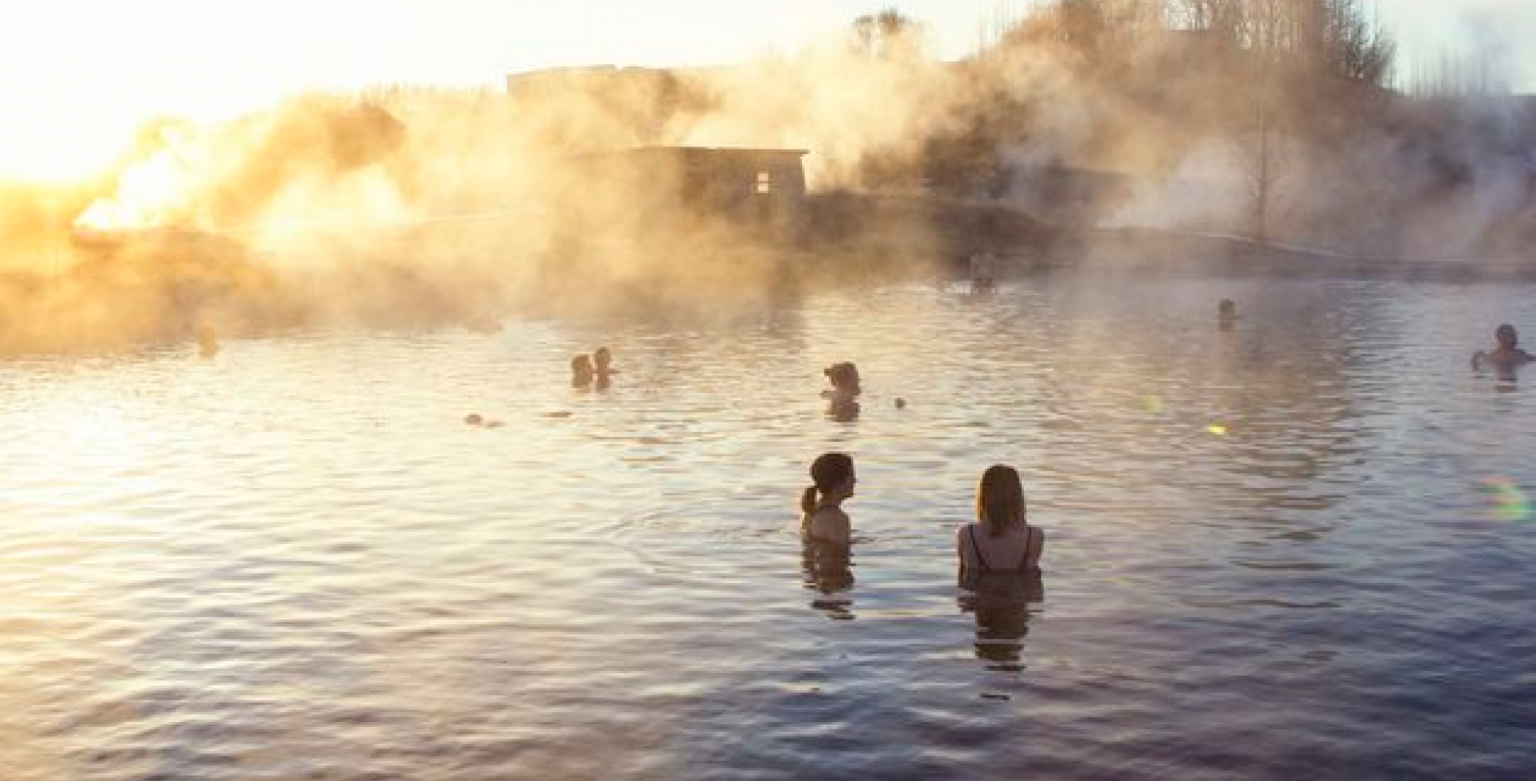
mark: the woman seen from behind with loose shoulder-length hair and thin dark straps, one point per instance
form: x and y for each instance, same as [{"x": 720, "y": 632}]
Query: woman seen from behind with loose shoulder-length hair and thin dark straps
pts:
[{"x": 1002, "y": 539}]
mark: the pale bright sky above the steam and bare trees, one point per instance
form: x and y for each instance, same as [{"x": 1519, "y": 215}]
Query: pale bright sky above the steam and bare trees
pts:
[{"x": 79, "y": 76}]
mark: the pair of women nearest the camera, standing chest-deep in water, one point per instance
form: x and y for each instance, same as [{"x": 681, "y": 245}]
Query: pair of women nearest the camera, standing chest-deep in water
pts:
[{"x": 999, "y": 542}]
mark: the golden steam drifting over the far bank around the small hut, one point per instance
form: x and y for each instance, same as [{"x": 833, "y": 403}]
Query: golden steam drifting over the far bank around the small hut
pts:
[{"x": 422, "y": 208}]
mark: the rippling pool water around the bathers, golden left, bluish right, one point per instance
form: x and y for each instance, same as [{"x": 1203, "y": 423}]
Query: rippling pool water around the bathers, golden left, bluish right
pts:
[{"x": 1293, "y": 551}]
